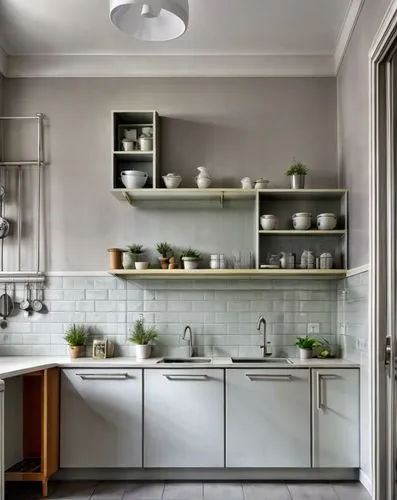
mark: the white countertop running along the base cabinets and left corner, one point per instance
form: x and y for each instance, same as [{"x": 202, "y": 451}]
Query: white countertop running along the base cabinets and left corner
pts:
[{"x": 11, "y": 366}]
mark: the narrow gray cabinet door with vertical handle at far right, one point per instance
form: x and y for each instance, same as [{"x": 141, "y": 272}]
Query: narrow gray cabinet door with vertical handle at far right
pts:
[{"x": 336, "y": 424}]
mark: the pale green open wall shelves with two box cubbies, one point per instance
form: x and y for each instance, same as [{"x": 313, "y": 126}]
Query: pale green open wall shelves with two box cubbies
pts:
[{"x": 281, "y": 202}]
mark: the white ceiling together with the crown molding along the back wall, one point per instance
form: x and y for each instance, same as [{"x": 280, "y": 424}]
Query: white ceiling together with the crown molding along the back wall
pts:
[{"x": 226, "y": 38}]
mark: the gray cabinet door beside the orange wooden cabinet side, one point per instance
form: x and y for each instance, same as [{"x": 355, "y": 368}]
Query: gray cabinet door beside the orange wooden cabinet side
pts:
[{"x": 101, "y": 418}]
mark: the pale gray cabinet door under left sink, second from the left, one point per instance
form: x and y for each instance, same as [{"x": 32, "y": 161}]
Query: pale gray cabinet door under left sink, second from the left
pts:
[{"x": 184, "y": 418}]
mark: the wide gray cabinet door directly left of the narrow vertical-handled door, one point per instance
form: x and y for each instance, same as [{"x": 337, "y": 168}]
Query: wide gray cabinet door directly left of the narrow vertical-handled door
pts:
[{"x": 267, "y": 418}]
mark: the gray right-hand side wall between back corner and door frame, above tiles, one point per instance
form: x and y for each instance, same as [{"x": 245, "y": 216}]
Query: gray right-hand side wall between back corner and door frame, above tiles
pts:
[{"x": 353, "y": 126}]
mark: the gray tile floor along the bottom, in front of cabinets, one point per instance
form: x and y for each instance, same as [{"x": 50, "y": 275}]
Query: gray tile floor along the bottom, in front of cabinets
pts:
[{"x": 124, "y": 490}]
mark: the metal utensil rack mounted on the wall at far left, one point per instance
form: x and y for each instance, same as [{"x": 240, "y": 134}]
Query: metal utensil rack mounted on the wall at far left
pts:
[{"x": 17, "y": 168}]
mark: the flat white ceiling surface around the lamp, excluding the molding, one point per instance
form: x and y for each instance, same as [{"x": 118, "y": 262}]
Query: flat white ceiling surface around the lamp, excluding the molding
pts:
[{"x": 216, "y": 27}]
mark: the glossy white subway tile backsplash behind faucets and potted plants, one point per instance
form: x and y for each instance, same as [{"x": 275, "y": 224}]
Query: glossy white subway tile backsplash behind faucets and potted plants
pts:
[{"x": 223, "y": 314}]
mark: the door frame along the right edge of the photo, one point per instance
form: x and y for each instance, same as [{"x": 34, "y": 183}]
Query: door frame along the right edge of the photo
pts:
[{"x": 381, "y": 198}]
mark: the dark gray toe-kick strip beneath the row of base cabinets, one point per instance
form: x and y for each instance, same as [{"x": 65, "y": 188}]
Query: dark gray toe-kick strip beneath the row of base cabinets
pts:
[{"x": 208, "y": 474}]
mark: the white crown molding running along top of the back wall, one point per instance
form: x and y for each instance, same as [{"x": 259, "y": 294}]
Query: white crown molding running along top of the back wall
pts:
[{"x": 47, "y": 66}]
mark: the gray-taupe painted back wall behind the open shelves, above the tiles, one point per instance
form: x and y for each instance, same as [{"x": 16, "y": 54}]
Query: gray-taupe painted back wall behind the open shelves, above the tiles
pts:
[{"x": 236, "y": 127}]
